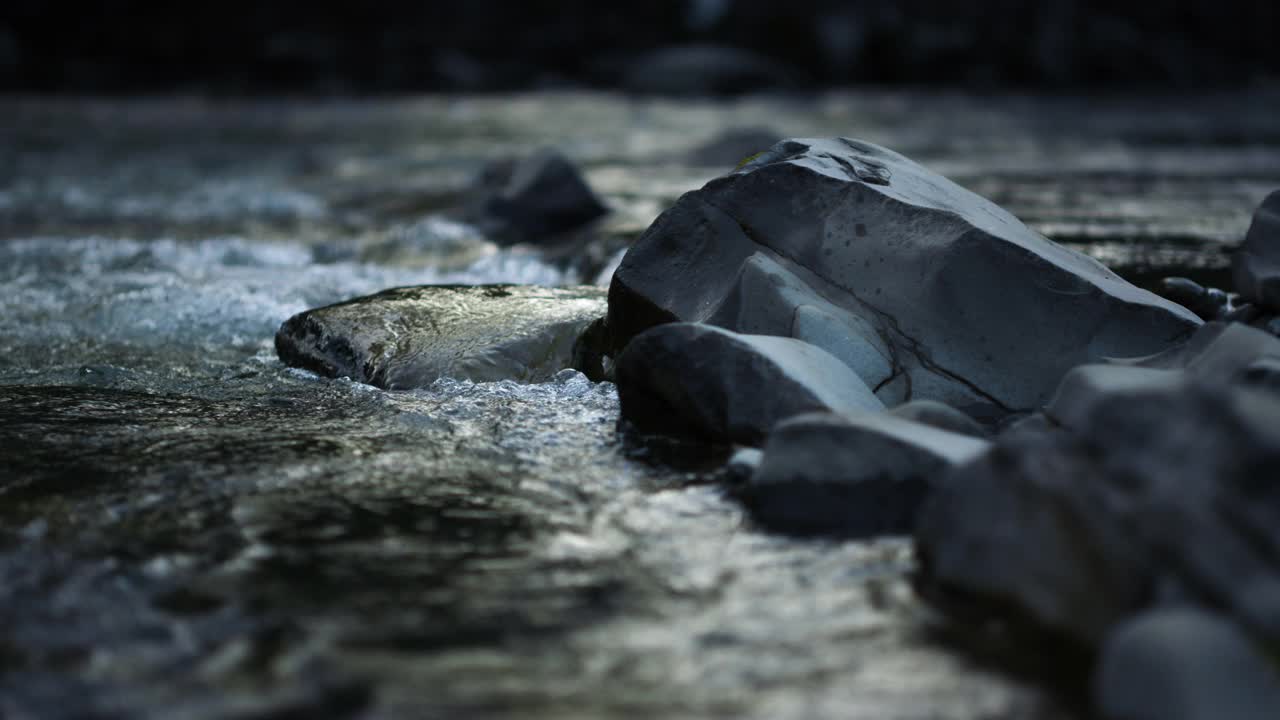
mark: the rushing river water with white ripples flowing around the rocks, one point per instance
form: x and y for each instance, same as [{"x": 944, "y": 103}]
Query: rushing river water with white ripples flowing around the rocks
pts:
[{"x": 188, "y": 528}]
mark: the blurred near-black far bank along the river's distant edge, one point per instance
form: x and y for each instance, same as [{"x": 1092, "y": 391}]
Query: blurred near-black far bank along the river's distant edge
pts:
[{"x": 117, "y": 47}]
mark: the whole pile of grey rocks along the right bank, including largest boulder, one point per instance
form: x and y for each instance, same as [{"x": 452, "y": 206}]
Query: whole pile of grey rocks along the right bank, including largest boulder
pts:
[{"x": 1075, "y": 455}]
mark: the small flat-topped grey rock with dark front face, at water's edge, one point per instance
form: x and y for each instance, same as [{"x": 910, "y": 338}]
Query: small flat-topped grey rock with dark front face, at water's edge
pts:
[{"x": 856, "y": 477}]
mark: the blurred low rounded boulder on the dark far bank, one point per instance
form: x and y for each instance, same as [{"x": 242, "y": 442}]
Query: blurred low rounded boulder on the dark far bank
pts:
[{"x": 706, "y": 70}]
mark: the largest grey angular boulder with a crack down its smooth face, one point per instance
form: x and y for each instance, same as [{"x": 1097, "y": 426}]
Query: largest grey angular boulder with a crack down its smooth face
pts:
[{"x": 925, "y": 289}]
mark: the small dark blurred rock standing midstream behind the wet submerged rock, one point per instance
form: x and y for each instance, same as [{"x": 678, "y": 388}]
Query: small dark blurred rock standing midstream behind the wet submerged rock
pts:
[{"x": 534, "y": 199}]
